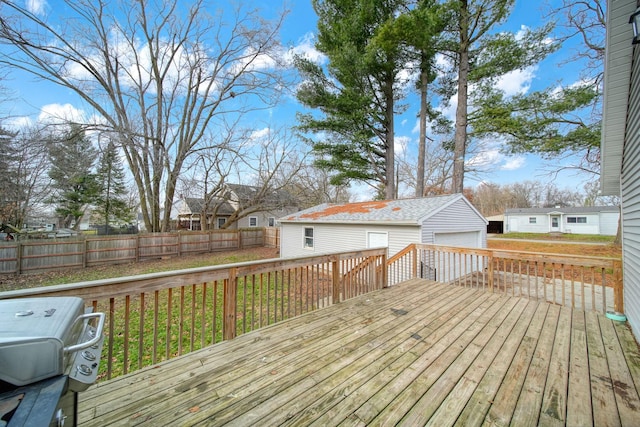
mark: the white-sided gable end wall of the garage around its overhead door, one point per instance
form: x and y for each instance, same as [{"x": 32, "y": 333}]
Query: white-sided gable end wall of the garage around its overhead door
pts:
[{"x": 465, "y": 220}]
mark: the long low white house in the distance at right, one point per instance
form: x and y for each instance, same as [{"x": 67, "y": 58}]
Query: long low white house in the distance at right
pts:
[{"x": 601, "y": 220}]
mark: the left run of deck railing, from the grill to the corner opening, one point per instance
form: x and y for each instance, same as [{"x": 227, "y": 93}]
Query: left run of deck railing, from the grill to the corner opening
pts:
[{"x": 154, "y": 317}]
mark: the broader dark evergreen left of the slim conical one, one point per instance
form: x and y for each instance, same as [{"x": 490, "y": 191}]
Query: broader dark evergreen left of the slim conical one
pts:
[{"x": 72, "y": 156}]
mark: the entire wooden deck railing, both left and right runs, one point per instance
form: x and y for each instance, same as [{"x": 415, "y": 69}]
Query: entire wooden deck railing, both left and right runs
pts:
[{"x": 154, "y": 317}]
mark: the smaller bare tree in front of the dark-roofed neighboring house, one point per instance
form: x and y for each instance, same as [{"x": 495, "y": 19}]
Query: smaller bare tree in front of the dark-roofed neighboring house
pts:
[{"x": 250, "y": 171}]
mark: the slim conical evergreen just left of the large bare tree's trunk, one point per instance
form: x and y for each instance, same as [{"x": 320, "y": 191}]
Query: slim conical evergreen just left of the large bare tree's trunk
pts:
[{"x": 110, "y": 202}]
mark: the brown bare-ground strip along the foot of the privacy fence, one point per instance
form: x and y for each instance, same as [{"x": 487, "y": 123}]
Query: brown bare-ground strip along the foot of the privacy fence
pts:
[{"x": 13, "y": 281}]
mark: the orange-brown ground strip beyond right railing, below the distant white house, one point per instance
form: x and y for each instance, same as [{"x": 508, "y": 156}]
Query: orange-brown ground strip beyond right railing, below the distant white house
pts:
[{"x": 587, "y": 249}]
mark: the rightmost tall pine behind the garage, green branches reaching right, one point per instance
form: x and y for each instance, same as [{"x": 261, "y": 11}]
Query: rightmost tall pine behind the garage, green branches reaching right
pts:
[{"x": 479, "y": 55}]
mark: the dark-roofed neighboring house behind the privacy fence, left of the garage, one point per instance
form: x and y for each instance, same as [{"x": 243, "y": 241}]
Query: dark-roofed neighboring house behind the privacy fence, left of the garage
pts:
[{"x": 243, "y": 205}]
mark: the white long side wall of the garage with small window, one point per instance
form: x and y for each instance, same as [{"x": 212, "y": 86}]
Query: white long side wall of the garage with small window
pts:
[{"x": 343, "y": 237}]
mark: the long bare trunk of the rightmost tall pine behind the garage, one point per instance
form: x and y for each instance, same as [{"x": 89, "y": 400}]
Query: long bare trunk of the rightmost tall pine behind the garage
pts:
[{"x": 461, "y": 110}]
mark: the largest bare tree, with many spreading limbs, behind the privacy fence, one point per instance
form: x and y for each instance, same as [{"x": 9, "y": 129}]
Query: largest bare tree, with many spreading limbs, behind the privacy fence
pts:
[{"x": 158, "y": 74}]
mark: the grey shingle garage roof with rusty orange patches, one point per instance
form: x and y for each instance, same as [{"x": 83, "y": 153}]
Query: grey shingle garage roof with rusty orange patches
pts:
[{"x": 406, "y": 211}]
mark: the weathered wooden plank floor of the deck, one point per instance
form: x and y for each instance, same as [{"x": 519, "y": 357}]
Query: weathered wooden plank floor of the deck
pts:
[{"x": 419, "y": 353}]
